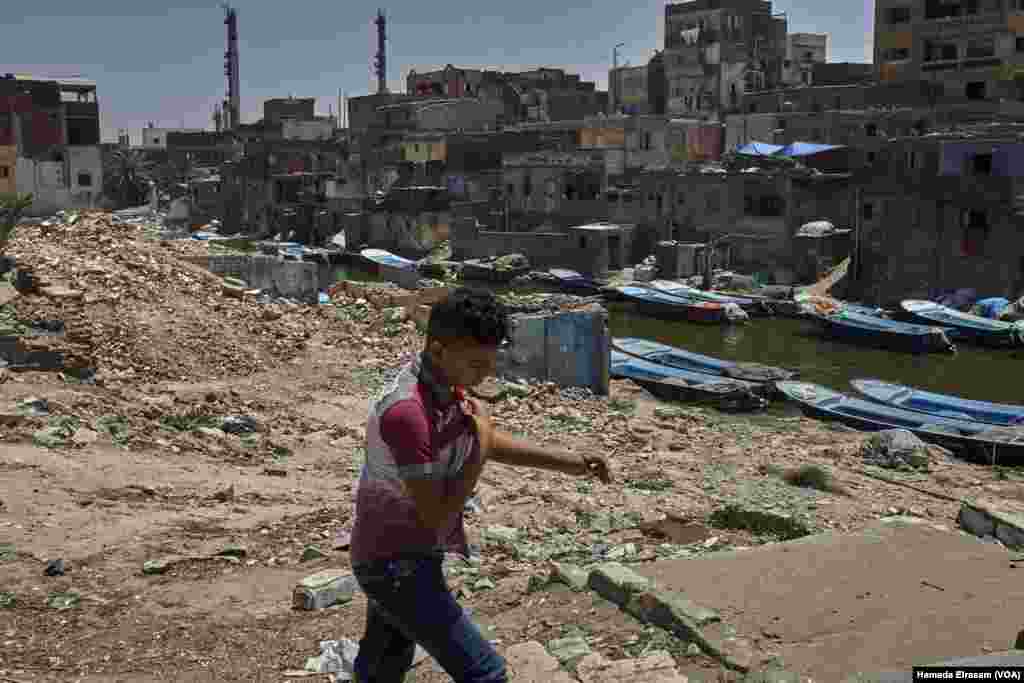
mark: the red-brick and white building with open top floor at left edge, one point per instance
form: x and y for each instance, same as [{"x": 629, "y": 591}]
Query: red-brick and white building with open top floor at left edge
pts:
[{"x": 50, "y": 142}]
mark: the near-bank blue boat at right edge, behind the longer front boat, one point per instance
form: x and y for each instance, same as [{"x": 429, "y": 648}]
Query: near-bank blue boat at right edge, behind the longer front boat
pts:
[{"x": 910, "y": 399}]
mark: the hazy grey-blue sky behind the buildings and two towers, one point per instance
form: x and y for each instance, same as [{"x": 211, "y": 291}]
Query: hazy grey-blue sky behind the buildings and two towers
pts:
[{"x": 162, "y": 65}]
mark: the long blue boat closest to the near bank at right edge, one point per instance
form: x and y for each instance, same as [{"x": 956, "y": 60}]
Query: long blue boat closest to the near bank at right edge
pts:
[{"x": 996, "y": 444}]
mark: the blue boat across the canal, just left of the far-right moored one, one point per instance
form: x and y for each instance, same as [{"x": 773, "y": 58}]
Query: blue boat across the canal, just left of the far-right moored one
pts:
[{"x": 872, "y": 331}]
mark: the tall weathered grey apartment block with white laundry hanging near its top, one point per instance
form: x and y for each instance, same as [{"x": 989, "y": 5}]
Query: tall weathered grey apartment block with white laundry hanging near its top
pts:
[{"x": 716, "y": 51}]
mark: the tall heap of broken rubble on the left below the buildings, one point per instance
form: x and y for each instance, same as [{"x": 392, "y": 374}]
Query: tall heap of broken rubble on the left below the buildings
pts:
[{"x": 133, "y": 312}]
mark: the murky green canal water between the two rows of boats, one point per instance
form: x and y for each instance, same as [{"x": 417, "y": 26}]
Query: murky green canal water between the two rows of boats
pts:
[{"x": 996, "y": 375}]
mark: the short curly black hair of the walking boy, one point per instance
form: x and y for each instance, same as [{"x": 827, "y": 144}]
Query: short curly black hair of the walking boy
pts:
[{"x": 470, "y": 314}]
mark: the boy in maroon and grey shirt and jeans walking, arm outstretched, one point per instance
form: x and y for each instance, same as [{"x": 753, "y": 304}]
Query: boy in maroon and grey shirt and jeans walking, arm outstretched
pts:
[{"x": 428, "y": 445}]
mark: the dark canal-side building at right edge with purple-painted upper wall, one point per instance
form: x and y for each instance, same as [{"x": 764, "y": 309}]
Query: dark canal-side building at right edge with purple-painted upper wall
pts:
[{"x": 944, "y": 212}]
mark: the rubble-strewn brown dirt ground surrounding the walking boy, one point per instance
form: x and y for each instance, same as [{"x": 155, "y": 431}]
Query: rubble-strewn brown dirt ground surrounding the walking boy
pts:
[{"x": 143, "y": 474}]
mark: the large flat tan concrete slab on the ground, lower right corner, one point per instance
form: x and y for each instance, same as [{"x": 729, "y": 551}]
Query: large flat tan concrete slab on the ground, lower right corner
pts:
[{"x": 904, "y": 592}]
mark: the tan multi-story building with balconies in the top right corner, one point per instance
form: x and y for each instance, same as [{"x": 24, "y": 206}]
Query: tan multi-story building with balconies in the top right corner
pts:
[{"x": 969, "y": 49}]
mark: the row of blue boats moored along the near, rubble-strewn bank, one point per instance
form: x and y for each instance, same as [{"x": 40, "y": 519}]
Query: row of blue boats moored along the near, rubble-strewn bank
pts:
[{"x": 993, "y": 432}]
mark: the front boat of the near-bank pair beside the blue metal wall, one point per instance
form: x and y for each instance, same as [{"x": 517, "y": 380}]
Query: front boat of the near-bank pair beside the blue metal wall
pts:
[{"x": 682, "y": 386}]
